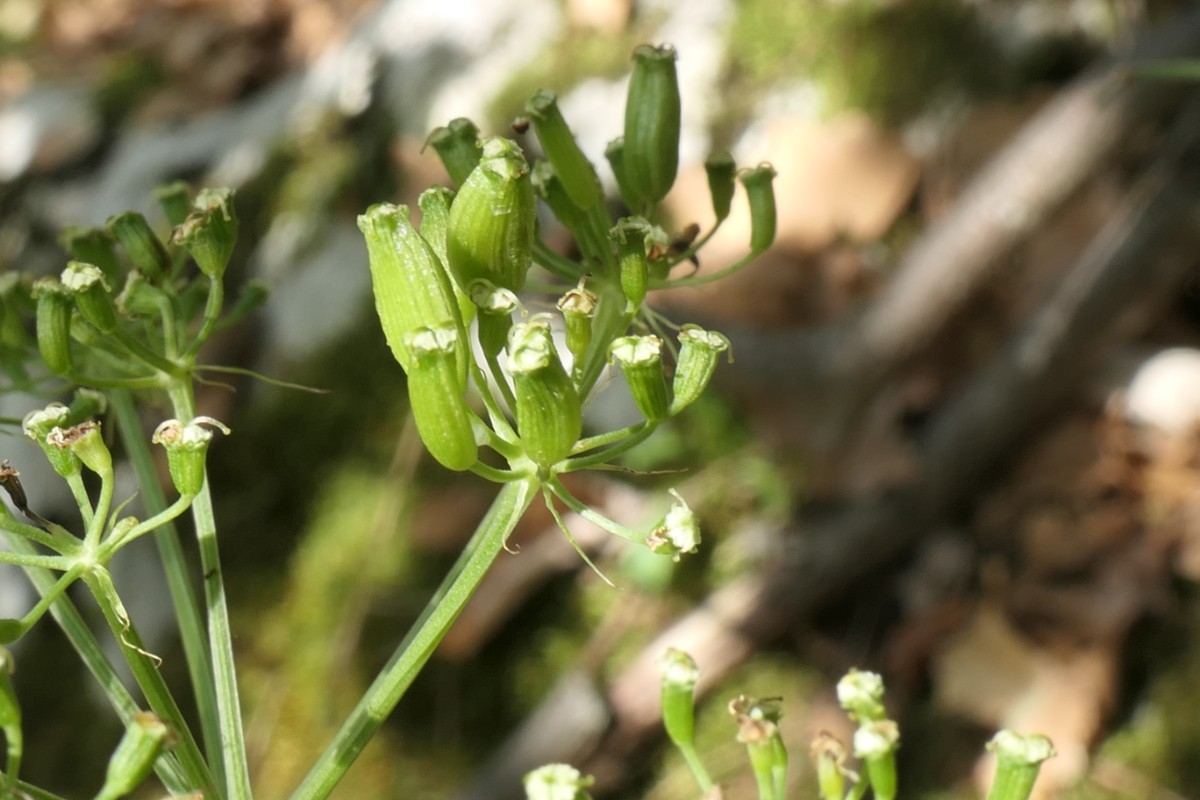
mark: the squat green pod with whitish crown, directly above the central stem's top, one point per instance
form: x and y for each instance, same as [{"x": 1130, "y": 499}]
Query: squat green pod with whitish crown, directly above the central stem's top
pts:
[{"x": 550, "y": 418}]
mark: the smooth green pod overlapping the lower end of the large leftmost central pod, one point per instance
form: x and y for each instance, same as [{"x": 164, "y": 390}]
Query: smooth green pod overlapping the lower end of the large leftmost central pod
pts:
[{"x": 437, "y": 400}]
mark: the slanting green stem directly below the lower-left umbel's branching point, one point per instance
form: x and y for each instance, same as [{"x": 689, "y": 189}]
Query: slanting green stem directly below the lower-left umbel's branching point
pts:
[{"x": 145, "y": 667}]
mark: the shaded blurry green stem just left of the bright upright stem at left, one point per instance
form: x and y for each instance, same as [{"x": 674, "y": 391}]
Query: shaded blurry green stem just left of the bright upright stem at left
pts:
[{"x": 179, "y": 584}]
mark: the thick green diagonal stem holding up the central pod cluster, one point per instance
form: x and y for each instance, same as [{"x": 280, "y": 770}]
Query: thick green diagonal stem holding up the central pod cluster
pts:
[{"x": 417, "y": 648}]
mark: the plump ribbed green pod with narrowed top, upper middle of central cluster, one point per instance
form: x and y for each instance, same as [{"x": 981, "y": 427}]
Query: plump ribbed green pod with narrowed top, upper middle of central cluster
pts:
[{"x": 493, "y": 220}]
